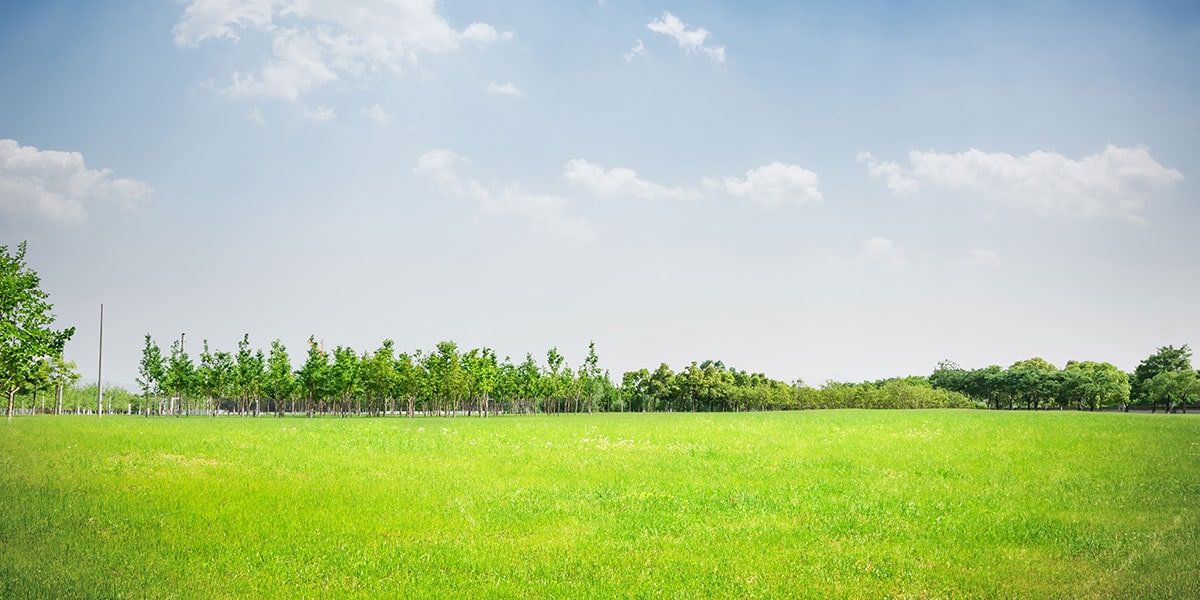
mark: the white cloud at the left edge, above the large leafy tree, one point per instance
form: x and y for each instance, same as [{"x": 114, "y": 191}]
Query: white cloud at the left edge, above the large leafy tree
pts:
[{"x": 57, "y": 185}]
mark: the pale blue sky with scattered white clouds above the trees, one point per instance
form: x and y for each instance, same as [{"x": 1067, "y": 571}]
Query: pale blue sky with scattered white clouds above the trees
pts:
[{"x": 814, "y": 191}]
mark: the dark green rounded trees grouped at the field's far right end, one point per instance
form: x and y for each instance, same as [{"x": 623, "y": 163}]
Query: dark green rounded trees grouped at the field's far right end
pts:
[{"x": 1163, "y": 380}]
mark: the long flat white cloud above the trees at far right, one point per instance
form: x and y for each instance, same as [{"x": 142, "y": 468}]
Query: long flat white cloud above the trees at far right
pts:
[{"x": 1117, "y": 183}]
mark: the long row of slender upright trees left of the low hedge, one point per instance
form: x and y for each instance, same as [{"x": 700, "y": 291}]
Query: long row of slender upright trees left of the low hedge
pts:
[{"x": 446, "y": 381}]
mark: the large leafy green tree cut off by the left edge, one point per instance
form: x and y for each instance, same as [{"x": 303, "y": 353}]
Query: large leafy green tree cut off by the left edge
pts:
[{"x": 26, "y": 321}]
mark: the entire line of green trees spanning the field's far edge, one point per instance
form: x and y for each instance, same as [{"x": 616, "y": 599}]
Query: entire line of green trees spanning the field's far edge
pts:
[{"x": 448, "y": 381}]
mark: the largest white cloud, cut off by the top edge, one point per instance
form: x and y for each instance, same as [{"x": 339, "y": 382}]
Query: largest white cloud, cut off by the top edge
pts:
[{"x": 320, "y": 41}]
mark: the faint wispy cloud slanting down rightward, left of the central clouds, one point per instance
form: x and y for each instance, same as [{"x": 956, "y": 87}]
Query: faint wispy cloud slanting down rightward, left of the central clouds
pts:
[{"x": 548, "y": 212}]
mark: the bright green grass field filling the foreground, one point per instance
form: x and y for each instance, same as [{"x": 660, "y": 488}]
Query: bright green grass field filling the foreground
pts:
[{"x": 813, "y": 505}]
